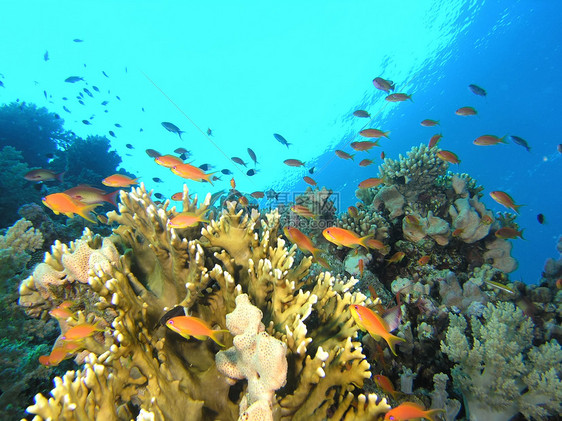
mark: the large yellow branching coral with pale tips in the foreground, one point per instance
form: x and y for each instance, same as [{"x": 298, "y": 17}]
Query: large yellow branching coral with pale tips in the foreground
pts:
[{"x": 149, "y": 271}]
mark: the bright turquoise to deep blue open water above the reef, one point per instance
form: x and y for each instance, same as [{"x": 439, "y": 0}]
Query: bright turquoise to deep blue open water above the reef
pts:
[{"x": 248, "y": 71}]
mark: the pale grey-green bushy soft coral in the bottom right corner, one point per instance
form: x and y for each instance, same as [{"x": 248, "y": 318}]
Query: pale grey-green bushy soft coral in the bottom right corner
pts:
[{"x": 501, "y": 373}]
